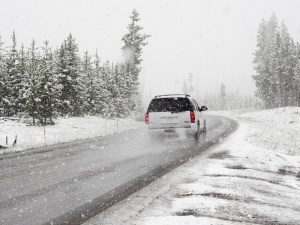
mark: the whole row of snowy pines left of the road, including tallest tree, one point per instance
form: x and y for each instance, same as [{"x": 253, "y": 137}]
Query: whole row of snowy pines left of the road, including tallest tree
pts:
[{"x": 42, "y": 82}]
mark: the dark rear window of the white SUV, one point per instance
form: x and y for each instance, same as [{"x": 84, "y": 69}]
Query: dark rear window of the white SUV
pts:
[{"x": 169, "y": 105}]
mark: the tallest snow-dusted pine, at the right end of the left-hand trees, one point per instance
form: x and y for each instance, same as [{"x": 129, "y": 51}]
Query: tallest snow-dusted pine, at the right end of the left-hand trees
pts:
[{"x": 134, "y": 42}]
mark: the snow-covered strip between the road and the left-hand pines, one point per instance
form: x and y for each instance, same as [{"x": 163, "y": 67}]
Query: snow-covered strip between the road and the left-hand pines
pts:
[{"x": 65, "y": 130}]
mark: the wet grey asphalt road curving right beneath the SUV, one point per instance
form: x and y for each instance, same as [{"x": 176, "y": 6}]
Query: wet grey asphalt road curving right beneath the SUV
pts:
[{"x": 70, "y": 183}]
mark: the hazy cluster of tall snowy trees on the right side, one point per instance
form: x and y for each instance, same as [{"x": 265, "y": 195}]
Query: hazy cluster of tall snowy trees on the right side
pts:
[{"x": 277, "y": 65}]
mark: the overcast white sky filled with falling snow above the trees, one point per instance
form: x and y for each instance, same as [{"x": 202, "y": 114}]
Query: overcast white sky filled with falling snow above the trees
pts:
[{"x": 213, "y": 40}]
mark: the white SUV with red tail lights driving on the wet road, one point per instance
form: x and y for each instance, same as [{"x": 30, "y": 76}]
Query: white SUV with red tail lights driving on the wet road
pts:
[{"x": 175, "y": 111}]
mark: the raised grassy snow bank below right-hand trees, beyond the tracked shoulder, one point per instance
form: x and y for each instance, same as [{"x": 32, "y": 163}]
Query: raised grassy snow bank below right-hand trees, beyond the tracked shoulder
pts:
[{"x": 275, "y": 129}]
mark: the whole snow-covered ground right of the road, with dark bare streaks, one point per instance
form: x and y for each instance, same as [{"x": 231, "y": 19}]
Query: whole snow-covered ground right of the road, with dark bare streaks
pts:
[{"x": 244, "y": 180}]
